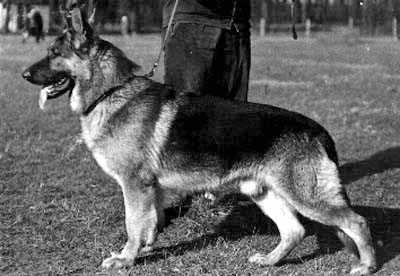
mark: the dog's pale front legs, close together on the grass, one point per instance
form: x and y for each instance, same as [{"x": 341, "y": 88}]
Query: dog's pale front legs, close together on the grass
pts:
[{"x": 141, "y": 218}]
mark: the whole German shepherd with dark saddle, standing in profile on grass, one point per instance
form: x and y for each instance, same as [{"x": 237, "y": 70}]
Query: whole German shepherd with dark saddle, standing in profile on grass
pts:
[{"x": 160, "y": 145}]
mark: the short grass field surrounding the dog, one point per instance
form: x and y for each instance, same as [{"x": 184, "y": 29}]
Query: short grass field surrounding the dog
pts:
[{"x": 61, "y": 215}]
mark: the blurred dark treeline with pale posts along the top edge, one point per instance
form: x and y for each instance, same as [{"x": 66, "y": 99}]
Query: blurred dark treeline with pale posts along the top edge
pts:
[{"x": 372, "y": 17}]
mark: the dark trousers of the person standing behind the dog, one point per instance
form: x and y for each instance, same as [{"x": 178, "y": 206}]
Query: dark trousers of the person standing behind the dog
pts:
[{"x": 208, "y": 60}]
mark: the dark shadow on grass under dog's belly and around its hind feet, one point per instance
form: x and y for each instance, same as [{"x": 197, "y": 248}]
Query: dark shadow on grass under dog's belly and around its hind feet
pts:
[{"x": 245, "y": 221}]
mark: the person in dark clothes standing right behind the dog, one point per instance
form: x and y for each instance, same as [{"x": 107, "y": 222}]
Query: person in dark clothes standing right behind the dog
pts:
[{"x": 208, "y": 48}]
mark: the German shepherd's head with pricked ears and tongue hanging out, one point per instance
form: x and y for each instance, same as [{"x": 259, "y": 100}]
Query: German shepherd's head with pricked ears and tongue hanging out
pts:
[{"x": 57, "y": 73}]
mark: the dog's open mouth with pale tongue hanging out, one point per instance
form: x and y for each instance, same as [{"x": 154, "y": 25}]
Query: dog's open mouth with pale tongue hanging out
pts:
[{"x": 55, "y": 90}]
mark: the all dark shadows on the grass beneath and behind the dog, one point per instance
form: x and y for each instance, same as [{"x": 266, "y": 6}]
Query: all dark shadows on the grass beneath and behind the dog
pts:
[{"x": 248, "y": 219}]
